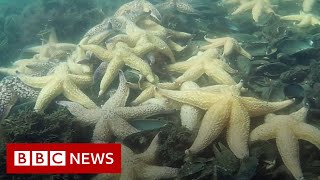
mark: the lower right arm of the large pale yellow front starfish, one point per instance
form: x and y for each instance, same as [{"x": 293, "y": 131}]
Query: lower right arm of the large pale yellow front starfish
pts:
[{"x": 238, "y": 130}]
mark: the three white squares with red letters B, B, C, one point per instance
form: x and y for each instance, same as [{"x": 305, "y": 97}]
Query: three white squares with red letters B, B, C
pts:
[{"x": 39, "y": 158}]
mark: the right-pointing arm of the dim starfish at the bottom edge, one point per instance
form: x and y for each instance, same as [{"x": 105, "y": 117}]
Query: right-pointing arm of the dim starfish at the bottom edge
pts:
[{"x": 157, "y": 172}]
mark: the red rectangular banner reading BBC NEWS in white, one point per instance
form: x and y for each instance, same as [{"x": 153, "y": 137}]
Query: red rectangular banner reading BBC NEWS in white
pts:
[{"x": 71, "y": 158}]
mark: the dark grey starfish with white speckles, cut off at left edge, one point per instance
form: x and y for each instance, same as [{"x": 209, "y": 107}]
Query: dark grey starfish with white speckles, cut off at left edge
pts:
[{"x": 12, "y": 90}]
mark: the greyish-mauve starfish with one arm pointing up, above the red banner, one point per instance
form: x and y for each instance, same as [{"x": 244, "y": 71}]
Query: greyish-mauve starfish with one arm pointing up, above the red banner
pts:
[{"x": 111, "y": 118}]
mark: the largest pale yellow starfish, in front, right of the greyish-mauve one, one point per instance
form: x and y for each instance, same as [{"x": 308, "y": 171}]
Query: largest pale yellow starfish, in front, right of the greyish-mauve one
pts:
[{"x": 225, "y": 108}]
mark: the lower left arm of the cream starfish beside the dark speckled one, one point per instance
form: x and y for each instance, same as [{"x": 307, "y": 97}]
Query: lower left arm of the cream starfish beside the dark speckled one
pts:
[{"x": 47, "y": 94}]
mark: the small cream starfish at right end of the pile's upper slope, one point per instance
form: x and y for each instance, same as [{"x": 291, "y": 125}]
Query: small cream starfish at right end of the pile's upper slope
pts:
[{"x": 229, "y": 46}]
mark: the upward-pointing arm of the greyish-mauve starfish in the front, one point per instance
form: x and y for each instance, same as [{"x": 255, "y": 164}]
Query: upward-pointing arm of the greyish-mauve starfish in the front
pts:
[{"x": 119, "y": 98}]
